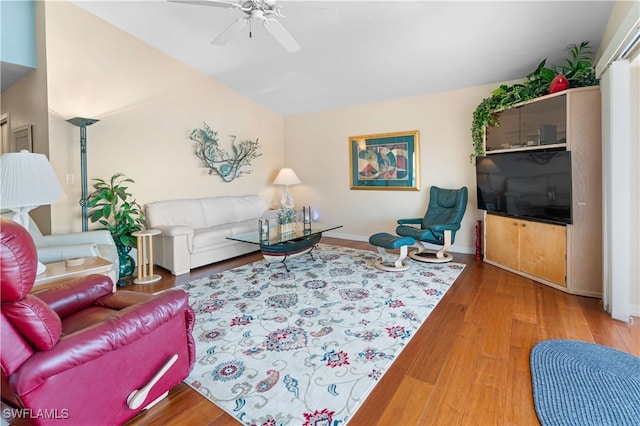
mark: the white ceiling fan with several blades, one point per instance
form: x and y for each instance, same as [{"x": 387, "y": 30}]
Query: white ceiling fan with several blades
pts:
[{"x": 264, "y": 11}]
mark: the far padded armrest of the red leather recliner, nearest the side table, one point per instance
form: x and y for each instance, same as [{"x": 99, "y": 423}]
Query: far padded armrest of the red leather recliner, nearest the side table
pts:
[{"x": 74, "y": 296}]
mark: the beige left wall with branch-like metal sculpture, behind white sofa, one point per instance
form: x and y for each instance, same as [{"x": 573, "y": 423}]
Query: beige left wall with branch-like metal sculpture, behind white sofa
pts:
[{"x": 147, "y": 104}]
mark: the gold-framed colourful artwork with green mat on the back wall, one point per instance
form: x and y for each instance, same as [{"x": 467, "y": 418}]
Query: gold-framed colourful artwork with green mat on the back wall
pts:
[{"x": 387, "y": 161}]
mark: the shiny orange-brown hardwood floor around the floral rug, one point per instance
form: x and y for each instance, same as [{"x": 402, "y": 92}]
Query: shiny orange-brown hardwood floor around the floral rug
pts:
[{"x": 467, "y": 365}]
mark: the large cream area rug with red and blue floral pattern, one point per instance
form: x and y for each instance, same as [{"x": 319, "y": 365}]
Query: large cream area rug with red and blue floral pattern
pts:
[{"x": 306, "y": 347}]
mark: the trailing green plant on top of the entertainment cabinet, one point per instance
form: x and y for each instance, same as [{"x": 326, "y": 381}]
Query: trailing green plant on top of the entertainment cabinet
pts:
[{"x": 578, "y": 70}]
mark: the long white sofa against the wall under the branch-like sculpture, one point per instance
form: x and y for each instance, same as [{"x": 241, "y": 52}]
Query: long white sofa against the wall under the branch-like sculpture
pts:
[{"x": 193, "y": 232}]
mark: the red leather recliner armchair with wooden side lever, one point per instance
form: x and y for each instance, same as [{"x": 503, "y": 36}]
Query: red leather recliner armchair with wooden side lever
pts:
[{"x": 76, "y": 353}]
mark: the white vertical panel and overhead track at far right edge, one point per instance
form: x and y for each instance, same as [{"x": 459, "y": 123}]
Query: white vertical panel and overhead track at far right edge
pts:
[{"x": 620, "y": 159}]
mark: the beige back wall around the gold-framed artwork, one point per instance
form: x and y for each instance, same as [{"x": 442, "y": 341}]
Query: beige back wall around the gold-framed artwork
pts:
[{"x": 316, "y": 147}]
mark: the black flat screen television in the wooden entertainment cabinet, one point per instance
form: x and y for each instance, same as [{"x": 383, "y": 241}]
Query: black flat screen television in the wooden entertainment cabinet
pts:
[{"x": 527, "y": 184}]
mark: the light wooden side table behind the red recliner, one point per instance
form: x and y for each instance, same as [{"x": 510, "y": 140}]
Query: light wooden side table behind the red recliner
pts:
[{"x": 59, "y": 273}]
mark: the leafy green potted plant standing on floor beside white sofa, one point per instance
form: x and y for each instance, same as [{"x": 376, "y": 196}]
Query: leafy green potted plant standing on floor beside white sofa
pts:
[{"x": 117, "y": 211}]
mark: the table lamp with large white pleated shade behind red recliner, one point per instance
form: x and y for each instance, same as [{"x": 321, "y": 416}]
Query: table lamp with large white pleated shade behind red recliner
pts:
[{"x": 27, "y": 181}]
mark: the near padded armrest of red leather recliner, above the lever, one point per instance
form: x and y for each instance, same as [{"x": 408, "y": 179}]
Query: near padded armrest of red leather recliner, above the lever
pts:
[{"x": 120, "y": 330}]
